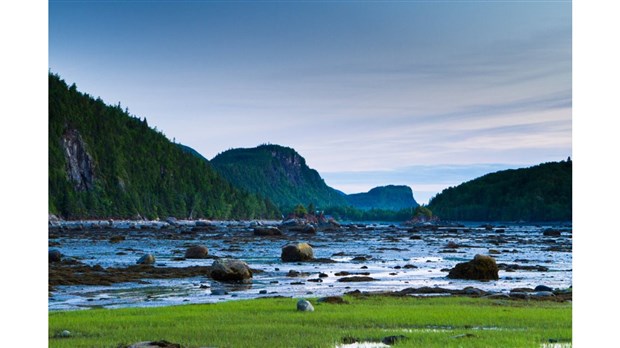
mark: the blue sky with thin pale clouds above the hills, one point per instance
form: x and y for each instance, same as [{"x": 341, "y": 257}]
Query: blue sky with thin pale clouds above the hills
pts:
[{"x": 419, "y": 93}]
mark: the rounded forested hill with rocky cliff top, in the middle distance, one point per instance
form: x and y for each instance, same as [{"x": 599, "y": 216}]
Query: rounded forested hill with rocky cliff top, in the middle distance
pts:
[{"x": 278, "y": 173}]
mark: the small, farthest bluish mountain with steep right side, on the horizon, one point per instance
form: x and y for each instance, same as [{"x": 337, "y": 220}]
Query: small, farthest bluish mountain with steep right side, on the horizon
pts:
[{"x": 391, "y": 197}]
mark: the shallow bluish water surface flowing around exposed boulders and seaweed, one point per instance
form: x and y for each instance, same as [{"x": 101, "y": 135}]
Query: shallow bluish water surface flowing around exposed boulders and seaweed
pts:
[{"x": 387, "y": 247}]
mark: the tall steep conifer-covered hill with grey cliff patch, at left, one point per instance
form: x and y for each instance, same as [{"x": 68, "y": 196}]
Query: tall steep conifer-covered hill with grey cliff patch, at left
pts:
[{"x": 105, "y": 163}]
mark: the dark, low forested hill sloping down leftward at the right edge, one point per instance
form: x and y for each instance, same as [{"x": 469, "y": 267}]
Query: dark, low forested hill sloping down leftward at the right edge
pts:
[{"x": 539, "y": 193}]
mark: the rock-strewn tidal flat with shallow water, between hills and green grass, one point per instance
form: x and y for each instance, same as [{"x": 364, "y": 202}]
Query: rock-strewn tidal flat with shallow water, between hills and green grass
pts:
[{"x": 99, "y": 261}]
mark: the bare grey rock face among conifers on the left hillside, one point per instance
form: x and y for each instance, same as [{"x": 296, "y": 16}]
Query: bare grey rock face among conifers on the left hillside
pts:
[{"x": 80, "y": 165}]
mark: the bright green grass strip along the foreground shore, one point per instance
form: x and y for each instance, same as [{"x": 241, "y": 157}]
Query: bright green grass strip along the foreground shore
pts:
[{"x": 427, "y": 322}]
